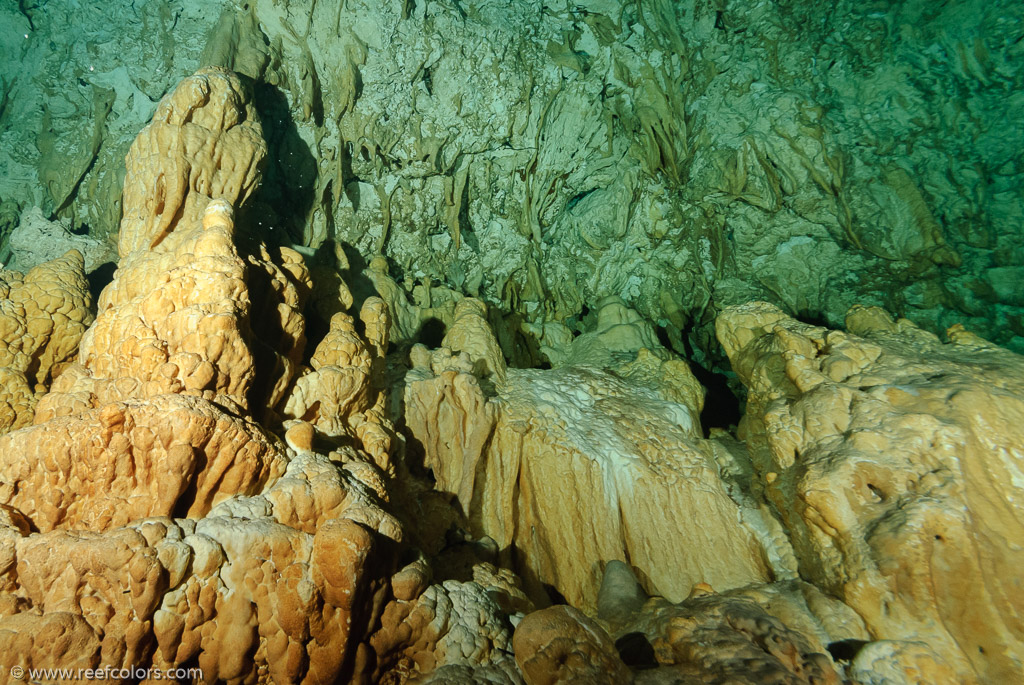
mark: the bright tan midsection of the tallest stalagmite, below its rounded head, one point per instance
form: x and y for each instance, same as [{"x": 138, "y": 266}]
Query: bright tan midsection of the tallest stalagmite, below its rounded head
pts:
[{"x": 177, "y": 322}]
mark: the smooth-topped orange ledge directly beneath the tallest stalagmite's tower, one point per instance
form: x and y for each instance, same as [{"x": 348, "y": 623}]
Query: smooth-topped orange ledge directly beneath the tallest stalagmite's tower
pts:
[{"x": 172, "y": 455}]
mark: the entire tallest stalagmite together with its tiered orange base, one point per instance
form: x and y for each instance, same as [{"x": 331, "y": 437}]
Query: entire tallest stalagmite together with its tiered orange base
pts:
[{"x": 149, "y": 519}]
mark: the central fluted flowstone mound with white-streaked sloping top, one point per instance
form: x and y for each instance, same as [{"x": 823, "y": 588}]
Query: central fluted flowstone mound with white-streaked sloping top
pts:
[{"x": 581, "y": 465}]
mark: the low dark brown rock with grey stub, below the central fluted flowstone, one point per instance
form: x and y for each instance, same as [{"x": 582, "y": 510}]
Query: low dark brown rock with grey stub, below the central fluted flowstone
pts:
[{"x": 780, "y": 632}]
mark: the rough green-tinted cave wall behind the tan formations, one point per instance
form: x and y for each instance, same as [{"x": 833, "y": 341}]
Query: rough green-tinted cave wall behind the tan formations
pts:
[{"x": 682, "y": 156}]
